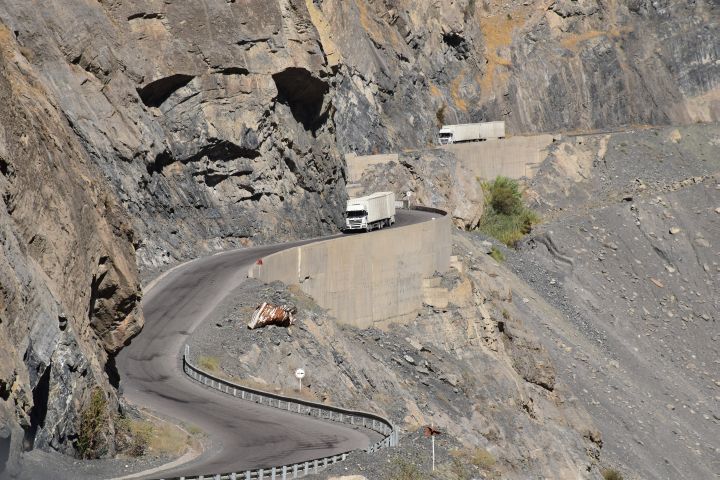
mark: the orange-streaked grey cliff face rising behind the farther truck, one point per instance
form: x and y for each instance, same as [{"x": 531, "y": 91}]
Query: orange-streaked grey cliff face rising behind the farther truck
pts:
[{"x": 542, "y": 66}]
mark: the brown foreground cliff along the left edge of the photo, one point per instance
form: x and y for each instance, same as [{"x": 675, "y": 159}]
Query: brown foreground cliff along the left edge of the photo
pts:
[{"x": 69, "y": 293}]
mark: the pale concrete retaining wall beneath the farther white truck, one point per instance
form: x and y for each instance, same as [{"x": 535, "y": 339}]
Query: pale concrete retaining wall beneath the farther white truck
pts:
[{"x": 513, "y": 157}]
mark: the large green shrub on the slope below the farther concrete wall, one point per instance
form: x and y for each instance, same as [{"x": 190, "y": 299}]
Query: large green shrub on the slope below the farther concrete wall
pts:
[{"x": 506, "y": 217}]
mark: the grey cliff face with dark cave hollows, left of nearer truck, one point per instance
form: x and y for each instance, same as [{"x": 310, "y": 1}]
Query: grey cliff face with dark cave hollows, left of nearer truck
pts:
[{"x": 211, "y": 120}]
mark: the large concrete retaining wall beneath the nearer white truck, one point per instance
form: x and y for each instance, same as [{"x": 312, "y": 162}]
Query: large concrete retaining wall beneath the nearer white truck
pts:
[{"x": 366, "y": 279}]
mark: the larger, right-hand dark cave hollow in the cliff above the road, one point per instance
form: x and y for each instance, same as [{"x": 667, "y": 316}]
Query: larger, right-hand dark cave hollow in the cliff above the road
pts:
[{"x": 304, "y": 94}]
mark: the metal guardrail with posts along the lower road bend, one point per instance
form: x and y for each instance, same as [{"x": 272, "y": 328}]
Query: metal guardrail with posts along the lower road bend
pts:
[{"x": 299, "y": 406}]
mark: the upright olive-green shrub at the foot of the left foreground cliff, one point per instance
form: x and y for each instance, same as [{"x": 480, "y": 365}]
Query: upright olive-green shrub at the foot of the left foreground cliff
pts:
[{"x": 94, "y": 421}]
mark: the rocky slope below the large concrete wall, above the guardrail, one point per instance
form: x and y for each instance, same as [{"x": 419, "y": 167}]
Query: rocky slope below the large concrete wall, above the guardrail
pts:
[{"x": 467, "y": 363}]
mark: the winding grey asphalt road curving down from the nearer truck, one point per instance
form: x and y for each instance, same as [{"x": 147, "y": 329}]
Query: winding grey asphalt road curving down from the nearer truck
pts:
[{"x": 242, "y": 435}]
